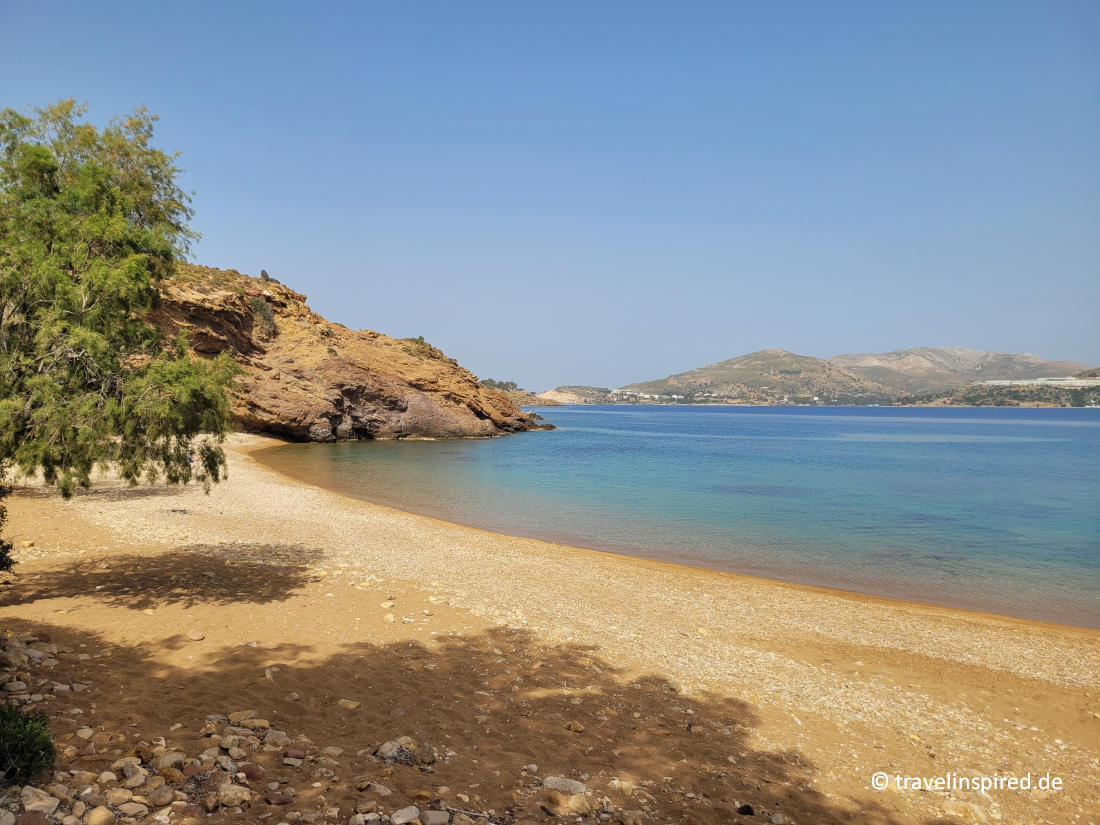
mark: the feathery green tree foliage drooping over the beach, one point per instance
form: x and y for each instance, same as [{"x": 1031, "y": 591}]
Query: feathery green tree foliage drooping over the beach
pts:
[{"x": 92, "y": 222}]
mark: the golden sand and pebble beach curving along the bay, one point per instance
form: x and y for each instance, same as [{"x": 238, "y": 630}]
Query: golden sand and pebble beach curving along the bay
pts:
[{"x": 674, "y": 695}]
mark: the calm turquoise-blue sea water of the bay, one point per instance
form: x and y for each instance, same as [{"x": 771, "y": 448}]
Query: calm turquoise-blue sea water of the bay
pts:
[{"x": 995, "y": 510}]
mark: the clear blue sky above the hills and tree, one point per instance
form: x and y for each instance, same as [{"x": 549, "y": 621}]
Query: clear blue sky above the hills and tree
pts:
[{"x": 600, "y": 193}]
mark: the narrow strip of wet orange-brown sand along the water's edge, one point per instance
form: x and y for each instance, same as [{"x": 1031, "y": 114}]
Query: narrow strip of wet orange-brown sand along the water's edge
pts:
[{"x": 824, "y": 590}]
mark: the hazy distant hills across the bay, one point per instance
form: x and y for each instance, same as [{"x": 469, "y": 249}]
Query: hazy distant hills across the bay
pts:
[{"x": 778, "y": 376}]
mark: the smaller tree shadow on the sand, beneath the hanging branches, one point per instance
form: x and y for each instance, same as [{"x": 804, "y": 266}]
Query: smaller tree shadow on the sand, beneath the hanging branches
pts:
[{"x": 210, "y": 574}]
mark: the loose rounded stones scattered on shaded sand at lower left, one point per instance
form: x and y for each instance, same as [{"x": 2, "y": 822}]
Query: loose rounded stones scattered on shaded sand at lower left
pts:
[{"x": 236, "y": 766}]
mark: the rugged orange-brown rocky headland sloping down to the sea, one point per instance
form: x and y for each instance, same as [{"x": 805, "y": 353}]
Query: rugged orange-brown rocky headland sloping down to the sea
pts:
[{"x": 310, "y": 380}]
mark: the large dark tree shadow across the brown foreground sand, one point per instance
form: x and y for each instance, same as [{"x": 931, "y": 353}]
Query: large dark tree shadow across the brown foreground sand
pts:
[{"x": 490, "y": 703}]
